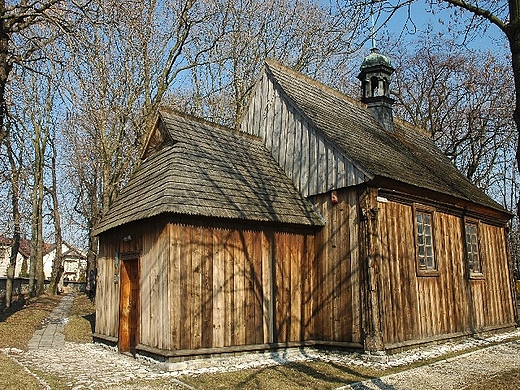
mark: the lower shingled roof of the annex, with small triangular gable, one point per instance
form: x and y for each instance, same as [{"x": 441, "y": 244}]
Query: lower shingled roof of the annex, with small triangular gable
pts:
[{"x": 192, "y": 167}]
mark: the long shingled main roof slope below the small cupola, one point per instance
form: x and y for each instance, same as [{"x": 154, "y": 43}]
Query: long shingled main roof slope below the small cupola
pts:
[{"x": 407, "y": 155}]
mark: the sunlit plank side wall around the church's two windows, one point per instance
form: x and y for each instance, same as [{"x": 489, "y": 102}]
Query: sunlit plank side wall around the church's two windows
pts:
[{"x": 419, "y": 307}]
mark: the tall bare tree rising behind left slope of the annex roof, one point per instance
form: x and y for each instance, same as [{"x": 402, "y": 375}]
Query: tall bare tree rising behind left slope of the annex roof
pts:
[{"x": 126, "y": 61}]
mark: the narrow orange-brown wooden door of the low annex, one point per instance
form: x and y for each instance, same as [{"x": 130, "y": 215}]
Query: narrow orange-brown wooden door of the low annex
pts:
[{"x": 128, "y": 309}]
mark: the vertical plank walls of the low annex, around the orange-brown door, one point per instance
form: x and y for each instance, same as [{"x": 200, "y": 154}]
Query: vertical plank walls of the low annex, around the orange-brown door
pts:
[{"x": 211, "y": 287}]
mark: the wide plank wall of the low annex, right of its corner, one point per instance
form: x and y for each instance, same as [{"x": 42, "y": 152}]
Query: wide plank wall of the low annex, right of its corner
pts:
[{"x": 222, "y": 292}]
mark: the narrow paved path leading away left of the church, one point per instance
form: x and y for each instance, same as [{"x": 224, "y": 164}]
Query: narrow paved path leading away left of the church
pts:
[{"x": 51, "y": 334}]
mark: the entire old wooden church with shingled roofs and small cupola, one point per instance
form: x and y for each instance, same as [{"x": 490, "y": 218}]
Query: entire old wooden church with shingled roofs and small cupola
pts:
[{"x": 323, "y": 221}]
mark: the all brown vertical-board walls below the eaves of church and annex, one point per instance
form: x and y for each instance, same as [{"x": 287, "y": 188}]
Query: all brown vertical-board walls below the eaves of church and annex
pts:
[{"x": 210, "y": 287}]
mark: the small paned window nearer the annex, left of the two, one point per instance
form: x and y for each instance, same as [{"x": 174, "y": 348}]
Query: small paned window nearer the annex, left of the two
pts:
[{"x": 425, "y": 242}]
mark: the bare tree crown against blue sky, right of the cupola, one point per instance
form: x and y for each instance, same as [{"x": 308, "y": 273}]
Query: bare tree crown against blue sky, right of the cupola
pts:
[{"x": 464, "y": 99}]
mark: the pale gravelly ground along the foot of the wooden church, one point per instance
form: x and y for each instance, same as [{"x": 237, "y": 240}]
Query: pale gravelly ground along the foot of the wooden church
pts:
[{"x": 93, "y": 366}]
